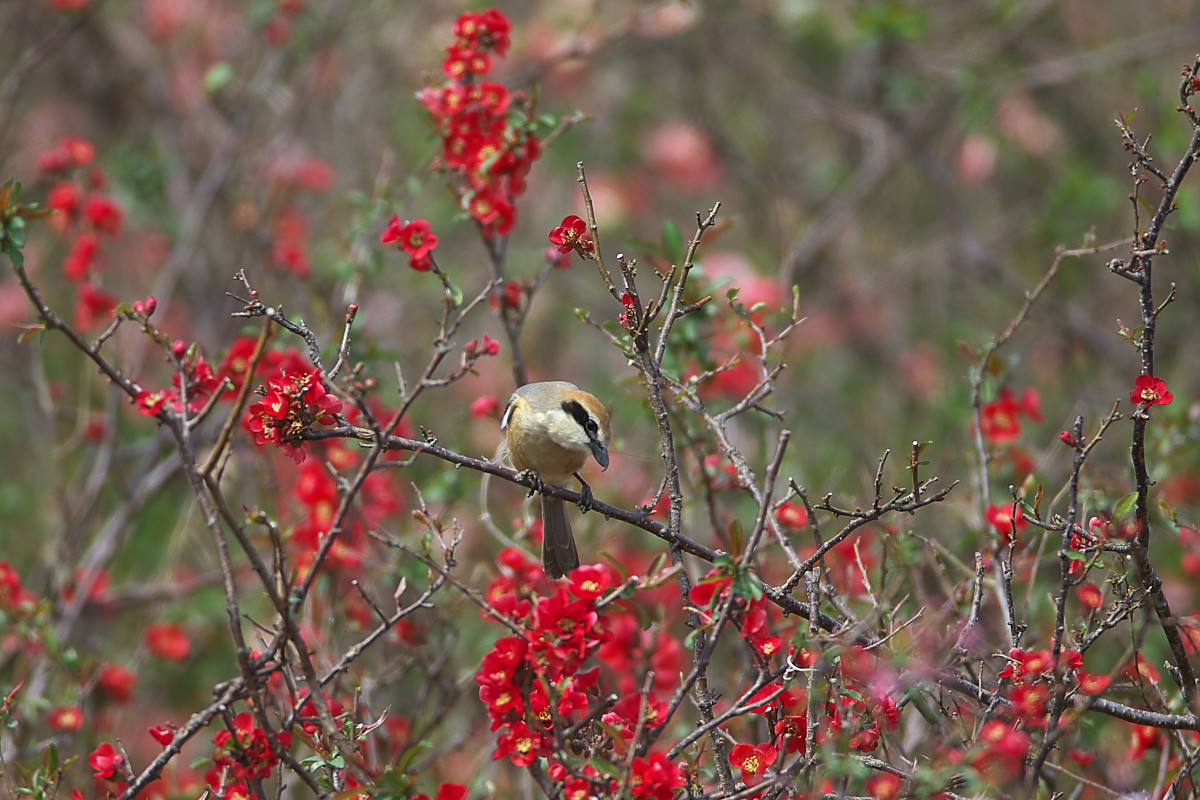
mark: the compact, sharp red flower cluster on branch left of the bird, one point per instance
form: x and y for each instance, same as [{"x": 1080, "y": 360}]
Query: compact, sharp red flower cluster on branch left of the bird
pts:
[{"x": 293, "y": 404}]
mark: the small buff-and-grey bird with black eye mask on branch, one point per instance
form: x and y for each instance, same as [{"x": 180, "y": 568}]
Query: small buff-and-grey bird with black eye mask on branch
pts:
[{"x": 551, "y": 429}]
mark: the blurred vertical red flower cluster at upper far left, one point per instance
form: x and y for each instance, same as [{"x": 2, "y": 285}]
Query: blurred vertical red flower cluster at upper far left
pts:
[{"x": 86, "y": 215}]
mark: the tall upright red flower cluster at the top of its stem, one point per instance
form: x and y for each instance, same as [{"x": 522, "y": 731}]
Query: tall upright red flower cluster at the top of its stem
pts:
[{"x": 488, "y": 139}]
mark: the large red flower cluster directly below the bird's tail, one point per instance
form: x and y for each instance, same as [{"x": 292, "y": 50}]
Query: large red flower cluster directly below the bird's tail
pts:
[{"x": 536, "y": 684}]
